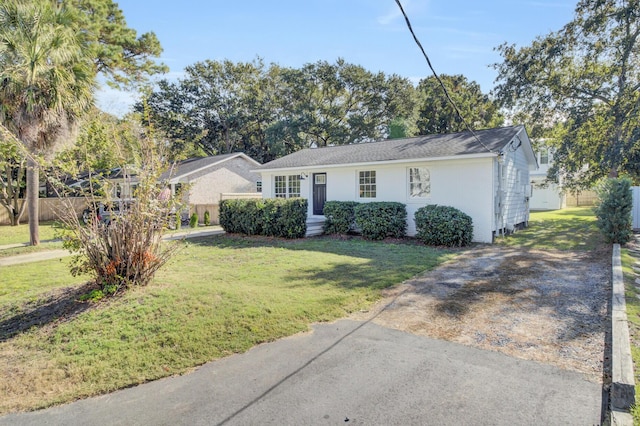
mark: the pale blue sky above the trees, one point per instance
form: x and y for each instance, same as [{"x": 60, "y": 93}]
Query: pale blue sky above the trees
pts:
[{"x": 458, "y": 35}]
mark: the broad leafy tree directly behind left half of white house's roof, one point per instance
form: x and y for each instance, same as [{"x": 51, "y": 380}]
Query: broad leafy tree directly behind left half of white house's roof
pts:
[{"x": 343, "y": 103}]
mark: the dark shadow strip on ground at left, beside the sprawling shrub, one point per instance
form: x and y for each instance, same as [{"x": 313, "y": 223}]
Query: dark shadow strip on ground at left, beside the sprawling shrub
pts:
[{"x": 53, "y": 308}]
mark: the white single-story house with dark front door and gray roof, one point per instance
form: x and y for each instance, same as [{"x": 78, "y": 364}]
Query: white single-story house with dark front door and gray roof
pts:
[{"x": 487, "y": 178}]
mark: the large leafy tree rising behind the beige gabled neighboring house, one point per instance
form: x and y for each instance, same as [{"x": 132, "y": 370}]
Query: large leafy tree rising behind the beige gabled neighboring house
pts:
[{"x": 218, "y": 106}]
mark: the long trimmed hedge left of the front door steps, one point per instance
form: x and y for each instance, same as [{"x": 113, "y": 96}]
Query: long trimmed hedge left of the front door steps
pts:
[{"x": 277, "y": 217}]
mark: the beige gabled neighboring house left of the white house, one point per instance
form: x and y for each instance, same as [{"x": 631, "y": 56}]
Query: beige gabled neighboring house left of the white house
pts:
[{"x": 211, "y": 179}]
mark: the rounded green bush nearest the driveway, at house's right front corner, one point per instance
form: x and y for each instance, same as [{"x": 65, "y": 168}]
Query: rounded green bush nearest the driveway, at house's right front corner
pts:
[{"x": 443, "y": 226}]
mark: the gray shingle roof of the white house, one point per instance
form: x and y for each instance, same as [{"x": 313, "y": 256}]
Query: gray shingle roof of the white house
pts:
[{"x": 431, "y": 146}]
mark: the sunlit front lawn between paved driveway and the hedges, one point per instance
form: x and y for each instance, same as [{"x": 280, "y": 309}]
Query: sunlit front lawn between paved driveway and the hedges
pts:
[{"x": 219, "y": 296}]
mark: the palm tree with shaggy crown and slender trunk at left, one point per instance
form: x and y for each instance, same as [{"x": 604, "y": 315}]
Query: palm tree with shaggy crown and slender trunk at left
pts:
[{"x": 47, "y": 81}]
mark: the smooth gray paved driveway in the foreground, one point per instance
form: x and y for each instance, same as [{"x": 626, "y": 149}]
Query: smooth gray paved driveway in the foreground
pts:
[{"x": 348, "y": 372}]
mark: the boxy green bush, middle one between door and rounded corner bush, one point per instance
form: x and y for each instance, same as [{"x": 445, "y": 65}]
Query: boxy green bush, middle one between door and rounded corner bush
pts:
[{"x": 381, "y": 219}]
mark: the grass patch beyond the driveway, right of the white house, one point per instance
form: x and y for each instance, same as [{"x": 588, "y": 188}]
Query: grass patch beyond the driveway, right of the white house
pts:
[{"x": 567, "y": 229}]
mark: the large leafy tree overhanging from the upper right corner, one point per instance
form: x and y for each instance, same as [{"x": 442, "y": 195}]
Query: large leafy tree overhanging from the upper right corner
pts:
[{"x": 580, "y": 88}]
